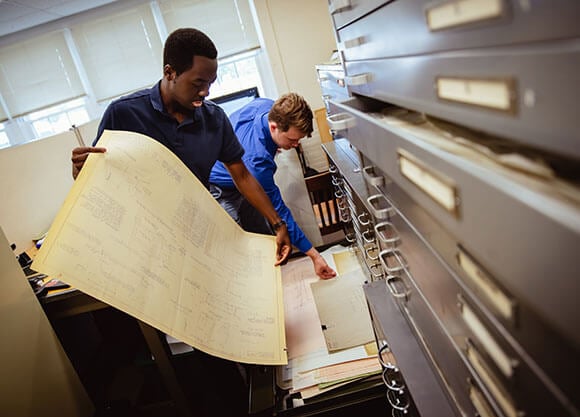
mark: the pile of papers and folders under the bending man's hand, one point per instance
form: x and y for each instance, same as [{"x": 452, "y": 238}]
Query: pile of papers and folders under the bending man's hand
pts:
[{"x": 328, "y": 327}]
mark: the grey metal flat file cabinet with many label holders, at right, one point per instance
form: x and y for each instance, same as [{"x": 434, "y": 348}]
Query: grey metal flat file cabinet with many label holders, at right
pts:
[{"x": 457, "y": 163}]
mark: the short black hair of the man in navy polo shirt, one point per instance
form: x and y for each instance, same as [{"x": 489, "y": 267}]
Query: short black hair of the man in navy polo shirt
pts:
[{"x": 183, "y": 44}]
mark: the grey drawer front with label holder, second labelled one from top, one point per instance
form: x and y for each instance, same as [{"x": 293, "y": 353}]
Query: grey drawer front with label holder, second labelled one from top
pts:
[{"x": 527, "y": 94}]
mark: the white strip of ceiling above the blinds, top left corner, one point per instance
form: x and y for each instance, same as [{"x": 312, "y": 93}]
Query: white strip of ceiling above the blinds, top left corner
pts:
[{"x": 18, "y": 15}]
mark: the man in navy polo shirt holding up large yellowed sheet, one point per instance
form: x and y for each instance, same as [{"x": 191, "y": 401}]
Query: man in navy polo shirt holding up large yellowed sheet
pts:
[{"x": 174, "y": 113}]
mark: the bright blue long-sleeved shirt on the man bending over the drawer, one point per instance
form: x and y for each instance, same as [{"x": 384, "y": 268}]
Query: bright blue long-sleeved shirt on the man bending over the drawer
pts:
[{"x": 251, "y": 126}]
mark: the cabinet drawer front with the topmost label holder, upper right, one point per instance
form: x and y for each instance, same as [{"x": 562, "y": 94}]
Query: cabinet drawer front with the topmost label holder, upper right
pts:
[{"x": 402, "y": 28}]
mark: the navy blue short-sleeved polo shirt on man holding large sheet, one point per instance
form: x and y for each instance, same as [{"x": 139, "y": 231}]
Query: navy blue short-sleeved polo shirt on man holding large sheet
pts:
[{"x": 199, "y": 141}]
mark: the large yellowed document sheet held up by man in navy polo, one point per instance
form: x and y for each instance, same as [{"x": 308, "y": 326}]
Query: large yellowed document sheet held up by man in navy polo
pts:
[{"x": 141, "y": 233}]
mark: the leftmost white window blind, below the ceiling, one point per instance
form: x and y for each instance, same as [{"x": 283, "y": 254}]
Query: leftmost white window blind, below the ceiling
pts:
[{"x": 37, "y": 73}]
